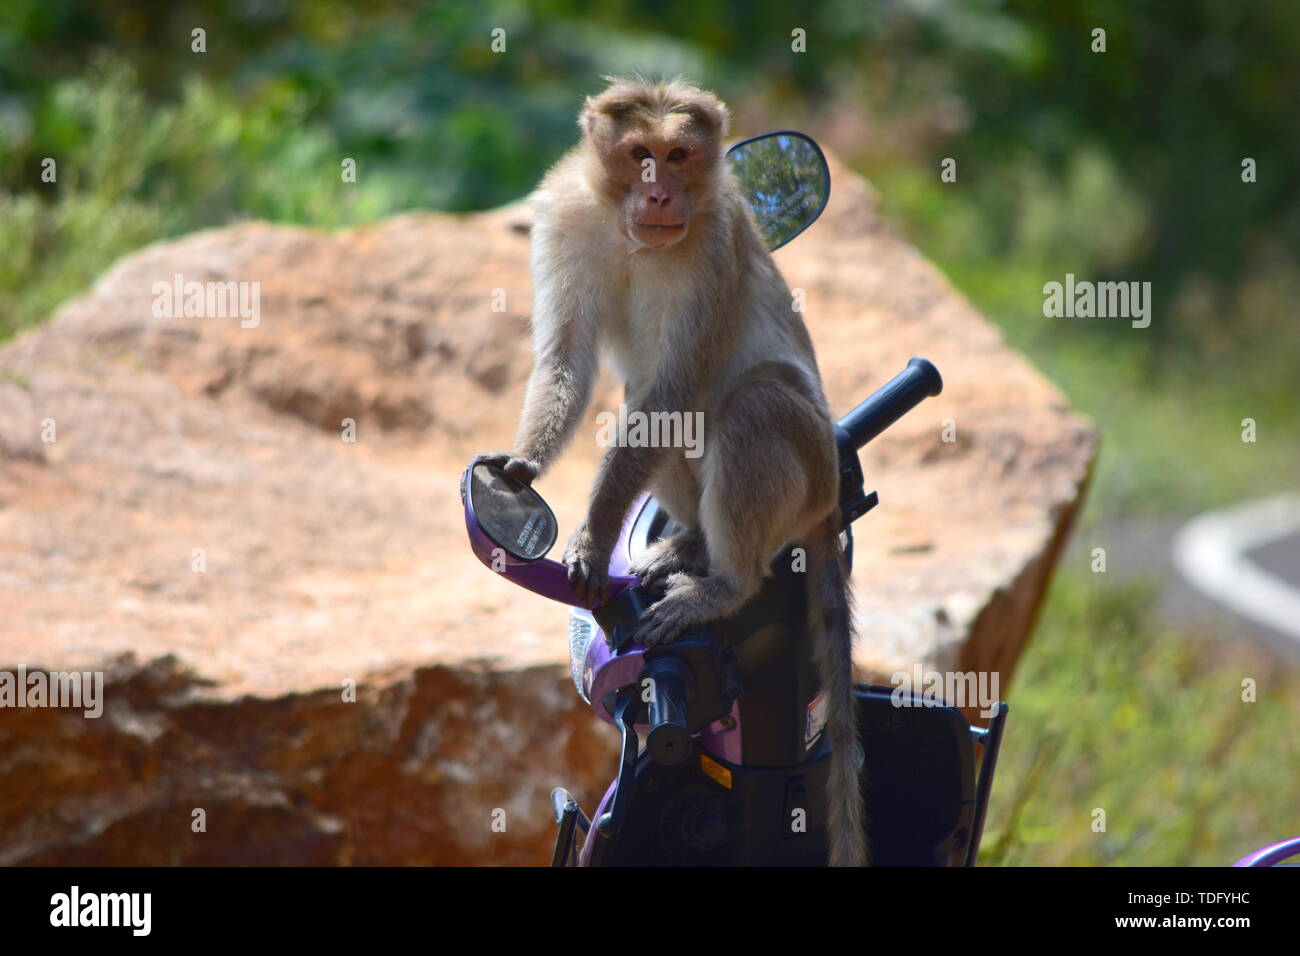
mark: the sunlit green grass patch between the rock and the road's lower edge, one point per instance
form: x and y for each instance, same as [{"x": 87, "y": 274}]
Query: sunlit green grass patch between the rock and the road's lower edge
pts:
[{"x": 1113, "y": 712}]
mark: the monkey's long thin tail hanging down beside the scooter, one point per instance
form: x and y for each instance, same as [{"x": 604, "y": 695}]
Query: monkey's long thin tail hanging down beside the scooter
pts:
[{"x": 846, "y": 812}]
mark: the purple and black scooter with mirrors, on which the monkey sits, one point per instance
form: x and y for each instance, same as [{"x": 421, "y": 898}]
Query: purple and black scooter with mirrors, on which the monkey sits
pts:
[{"x": 734, "y": 765}]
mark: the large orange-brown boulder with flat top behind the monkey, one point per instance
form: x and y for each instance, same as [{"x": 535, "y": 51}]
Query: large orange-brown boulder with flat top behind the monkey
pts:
[{"x": 331, "y": 563}]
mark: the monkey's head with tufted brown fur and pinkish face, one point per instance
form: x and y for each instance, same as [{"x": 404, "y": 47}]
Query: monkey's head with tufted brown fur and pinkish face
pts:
[{"x": 655, "y": 150}]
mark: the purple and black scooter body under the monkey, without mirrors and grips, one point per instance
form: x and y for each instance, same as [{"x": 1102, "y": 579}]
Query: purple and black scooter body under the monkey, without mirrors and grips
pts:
[{"x": 752, "y": 791}]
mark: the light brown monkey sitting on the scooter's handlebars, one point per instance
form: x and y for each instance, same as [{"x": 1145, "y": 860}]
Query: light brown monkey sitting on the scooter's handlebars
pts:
[{"x": 645, "y": 253}]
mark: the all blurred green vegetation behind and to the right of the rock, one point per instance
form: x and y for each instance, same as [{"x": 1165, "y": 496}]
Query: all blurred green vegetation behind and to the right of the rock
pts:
[{"x": 1120, "y": 166}]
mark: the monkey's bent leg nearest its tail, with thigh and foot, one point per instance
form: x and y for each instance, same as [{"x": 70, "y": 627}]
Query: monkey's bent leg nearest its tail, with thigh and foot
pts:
[{"x": 766, "y": 479}]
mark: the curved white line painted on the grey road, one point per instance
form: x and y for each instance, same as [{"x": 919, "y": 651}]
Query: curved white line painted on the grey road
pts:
[{"x": 1211, "y": 553}]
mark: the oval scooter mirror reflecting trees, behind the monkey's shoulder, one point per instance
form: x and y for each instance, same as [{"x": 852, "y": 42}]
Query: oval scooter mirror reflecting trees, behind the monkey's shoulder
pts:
[{"x": 786, "y": 181}]
